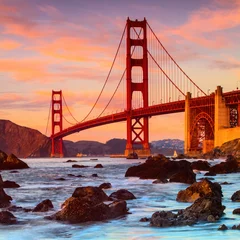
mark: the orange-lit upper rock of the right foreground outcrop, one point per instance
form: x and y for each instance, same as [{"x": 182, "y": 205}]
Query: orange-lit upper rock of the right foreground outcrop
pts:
[{"x": 200, "y": 189}]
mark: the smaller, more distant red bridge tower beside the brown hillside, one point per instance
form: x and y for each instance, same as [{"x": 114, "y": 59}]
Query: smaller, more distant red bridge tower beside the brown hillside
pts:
[{"x": 57, "y": 144}]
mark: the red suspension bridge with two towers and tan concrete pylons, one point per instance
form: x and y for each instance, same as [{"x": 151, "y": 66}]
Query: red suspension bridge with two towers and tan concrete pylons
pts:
[{"x": 150, "y": 82}]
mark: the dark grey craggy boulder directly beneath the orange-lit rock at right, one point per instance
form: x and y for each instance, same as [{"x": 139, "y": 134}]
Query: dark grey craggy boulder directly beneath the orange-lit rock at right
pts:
[{"x": 203, "y": 207}]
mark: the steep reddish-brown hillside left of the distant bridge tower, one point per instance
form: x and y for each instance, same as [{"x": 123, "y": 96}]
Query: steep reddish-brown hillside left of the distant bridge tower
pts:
[{"x": 23, "y": 141}]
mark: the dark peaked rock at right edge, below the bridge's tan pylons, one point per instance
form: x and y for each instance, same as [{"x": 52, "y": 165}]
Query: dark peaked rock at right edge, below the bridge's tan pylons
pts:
[{"x": 230, "y": 166}]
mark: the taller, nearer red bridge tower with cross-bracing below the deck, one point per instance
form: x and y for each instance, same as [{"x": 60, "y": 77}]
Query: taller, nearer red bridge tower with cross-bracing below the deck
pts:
[{"x": 137, "y": 128}]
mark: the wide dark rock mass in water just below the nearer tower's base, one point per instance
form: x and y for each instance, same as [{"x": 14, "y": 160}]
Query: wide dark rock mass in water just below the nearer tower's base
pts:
[{"x": 163, "y": 168}]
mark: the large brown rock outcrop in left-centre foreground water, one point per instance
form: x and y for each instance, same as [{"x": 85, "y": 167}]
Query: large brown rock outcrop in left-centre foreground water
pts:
[{"x": 86, "y": 204}]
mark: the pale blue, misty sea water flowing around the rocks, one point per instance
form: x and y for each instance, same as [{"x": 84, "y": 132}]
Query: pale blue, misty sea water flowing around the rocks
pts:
[{"x": 38, "y": 183}]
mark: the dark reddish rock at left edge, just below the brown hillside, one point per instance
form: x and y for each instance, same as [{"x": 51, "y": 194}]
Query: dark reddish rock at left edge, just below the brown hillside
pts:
[{"x": 12, "y": 162}]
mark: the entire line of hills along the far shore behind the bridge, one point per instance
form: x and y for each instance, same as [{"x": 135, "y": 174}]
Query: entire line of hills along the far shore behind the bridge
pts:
[{"x": 27, "y": 142}]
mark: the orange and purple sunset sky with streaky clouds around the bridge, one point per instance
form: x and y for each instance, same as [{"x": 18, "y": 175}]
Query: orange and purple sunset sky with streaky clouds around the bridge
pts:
[{"x": 69, "y": 45}]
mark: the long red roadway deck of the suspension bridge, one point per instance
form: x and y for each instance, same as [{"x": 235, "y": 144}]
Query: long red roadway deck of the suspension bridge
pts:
[{"x": 231, "y": 98}]
